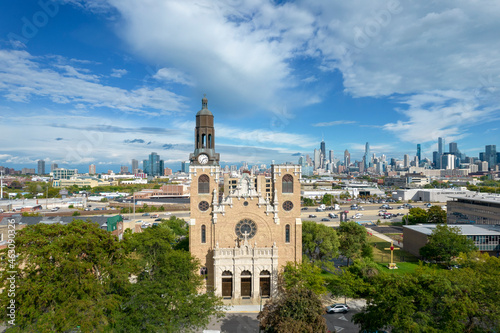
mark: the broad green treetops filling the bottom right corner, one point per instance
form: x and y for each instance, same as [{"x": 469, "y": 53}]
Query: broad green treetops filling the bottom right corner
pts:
[{"x": 431, "y": 300}]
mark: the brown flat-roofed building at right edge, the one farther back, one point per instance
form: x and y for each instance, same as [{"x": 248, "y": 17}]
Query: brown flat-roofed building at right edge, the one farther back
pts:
[{"x": 474, "y": 209}]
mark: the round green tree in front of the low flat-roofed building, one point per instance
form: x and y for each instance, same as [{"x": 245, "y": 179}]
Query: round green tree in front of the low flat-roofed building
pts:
[{"x": 446, "y": 243}]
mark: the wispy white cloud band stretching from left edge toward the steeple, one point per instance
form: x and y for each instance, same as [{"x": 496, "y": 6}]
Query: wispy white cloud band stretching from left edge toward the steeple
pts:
[{"x": 23, "y": 76}]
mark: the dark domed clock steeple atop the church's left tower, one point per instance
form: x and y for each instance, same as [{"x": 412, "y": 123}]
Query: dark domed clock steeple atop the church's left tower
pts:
[{"x": 204, "y": 138}]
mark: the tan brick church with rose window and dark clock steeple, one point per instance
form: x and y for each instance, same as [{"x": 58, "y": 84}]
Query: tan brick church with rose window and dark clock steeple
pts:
[{"x": 244, "y": 229}]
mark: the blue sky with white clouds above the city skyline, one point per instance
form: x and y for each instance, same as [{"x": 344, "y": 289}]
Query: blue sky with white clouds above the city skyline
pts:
[{"x": 105, "y": 81}]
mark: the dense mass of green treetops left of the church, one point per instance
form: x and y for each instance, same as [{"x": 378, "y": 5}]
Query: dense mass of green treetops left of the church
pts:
[{"x": 78, "y": 275}]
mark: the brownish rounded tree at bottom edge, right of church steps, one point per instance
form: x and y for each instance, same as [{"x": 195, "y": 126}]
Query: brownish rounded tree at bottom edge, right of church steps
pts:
[{"x": 298, "y": 310}]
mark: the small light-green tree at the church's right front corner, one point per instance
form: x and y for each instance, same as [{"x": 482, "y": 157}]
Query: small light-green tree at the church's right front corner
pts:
[{"x": 303, "y": 275}]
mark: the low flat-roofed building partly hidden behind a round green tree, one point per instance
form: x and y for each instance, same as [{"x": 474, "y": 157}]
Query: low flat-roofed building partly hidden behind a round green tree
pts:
[{"x": 485, "y": 237}]
